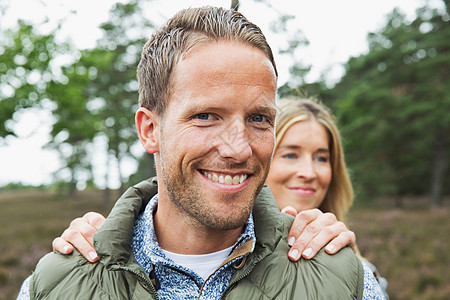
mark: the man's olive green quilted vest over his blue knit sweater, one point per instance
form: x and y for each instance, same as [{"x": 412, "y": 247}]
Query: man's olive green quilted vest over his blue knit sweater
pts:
[{"x": 266, "y": 273}]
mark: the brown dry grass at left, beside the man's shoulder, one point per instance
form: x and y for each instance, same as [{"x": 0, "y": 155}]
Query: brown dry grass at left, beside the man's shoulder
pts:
[{"x": 28, "y": 224}]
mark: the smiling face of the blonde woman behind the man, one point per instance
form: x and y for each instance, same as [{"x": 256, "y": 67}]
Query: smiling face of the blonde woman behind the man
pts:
[{"x": 301, "y": 171}]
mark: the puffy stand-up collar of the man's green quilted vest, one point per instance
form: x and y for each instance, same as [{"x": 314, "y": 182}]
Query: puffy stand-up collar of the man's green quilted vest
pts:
[{"x": 113, "y": 241}]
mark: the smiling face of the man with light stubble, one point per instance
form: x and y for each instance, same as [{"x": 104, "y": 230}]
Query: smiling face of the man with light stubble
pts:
[{"x": 217, "y": 133}]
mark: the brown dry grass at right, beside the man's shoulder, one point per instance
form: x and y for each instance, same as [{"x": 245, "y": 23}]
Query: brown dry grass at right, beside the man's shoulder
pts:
[{"x": 410, "y": 247}]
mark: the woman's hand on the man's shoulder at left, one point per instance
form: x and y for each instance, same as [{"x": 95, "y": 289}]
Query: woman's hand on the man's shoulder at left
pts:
[{"x": 80, "y": 235}]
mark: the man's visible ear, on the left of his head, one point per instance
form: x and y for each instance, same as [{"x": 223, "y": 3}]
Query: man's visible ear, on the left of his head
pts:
[{"x": 147, "y": 124}]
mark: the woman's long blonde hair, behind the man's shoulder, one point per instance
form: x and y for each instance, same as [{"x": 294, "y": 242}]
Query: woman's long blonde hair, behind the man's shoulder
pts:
[{"x": 339, "y": 196}]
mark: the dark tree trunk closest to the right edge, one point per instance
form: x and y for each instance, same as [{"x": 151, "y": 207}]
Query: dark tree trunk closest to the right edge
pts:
[{"x": 439, "y": 166}]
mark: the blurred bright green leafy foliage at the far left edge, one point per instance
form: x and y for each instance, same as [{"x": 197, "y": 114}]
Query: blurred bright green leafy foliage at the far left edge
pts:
[{"x": 26, "y": 58}]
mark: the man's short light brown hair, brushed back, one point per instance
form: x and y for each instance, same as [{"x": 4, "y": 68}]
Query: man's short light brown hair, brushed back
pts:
[{"x": 188, "y": 28}]
